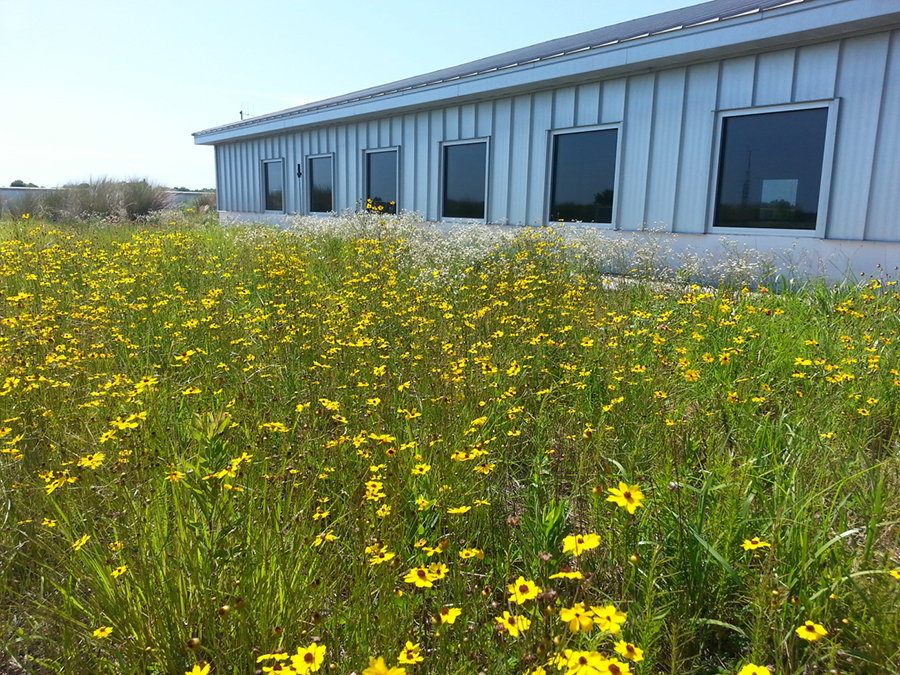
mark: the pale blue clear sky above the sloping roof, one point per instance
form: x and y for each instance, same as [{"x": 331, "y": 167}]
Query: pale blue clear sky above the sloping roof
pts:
[{"x": 115, "y": 88}]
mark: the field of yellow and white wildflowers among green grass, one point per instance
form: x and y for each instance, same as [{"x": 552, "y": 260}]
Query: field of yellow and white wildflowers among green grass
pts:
[{"x": 358, "y": 446}]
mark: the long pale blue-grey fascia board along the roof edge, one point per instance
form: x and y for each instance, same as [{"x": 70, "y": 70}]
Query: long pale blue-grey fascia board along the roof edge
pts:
[{"x": 777, "y": 27}]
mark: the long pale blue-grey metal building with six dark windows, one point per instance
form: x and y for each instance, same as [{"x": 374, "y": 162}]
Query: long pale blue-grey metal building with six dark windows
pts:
[{"x": 774, "y": 122}]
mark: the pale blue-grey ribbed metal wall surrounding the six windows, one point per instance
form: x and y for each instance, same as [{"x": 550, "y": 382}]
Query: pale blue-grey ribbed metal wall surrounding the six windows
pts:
[{"x": 667, "y": 139}]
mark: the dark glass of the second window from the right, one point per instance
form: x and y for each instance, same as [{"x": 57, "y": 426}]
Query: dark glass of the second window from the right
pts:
[{"x": 584, "y": 173}]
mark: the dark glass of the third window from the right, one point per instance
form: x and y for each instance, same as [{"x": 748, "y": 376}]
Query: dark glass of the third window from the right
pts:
[{"x": 464, "y": 180}]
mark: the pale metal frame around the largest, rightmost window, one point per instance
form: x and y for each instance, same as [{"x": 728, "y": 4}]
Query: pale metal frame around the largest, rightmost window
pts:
[{"x": 832, "y": 106}]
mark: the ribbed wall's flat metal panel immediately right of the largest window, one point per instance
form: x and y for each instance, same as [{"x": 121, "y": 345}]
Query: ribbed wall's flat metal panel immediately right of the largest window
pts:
[{"x": 861, "y": 72}]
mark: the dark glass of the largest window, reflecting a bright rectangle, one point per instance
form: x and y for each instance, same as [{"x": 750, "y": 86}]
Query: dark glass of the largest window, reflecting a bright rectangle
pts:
[{"x": 770, "y": 169}]
